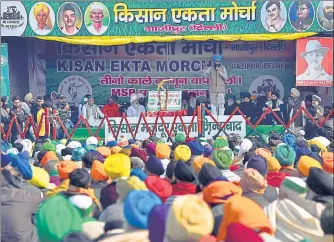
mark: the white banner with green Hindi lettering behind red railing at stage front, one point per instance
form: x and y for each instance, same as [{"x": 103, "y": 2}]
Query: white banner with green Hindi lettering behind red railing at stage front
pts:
[{"x": 236, "y": 125}]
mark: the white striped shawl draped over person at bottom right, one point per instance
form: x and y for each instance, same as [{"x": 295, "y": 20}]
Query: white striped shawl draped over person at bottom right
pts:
[{"x": 291, "y": 222}]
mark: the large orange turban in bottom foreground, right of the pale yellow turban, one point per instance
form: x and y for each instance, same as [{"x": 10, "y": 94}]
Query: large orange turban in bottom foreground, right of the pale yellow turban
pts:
[{"x": 242, "y": 210}]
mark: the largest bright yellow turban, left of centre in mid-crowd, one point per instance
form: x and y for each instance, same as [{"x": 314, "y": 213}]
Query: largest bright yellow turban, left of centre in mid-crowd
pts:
[{"x": 117, "y": 165}]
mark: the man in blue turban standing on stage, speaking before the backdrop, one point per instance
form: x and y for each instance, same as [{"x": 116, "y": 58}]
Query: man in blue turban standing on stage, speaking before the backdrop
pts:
[{"x": 218, "y": 77}]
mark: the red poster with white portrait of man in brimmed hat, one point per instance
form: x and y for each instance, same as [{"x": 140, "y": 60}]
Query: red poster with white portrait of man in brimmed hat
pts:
[{"x": 314, "y": 63}]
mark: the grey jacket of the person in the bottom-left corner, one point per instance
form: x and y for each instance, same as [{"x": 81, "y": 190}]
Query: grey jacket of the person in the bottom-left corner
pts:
[{"x": 18, "y": 207}]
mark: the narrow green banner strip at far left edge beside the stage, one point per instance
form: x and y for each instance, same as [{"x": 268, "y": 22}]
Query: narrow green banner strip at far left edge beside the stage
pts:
[{"x": 5, "y": 86}]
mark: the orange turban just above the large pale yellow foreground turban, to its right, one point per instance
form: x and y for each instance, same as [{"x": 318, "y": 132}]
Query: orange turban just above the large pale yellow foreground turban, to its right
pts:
[{"x": 217, "y": 192}]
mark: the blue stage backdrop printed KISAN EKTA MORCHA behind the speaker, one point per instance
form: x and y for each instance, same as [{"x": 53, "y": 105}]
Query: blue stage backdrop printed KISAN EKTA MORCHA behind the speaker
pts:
[{"x": 257, "y": 67}]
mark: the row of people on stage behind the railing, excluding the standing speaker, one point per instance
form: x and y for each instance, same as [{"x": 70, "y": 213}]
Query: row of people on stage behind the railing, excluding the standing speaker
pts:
[{"x": 251, "y": 106}]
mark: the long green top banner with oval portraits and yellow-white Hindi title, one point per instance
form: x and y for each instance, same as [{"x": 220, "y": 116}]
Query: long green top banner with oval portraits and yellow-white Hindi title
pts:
[{"x": 162, "y": 18}]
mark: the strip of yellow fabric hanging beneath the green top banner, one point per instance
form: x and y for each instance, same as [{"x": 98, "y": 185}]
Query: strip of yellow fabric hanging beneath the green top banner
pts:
[{"x": 117, "y": 40}]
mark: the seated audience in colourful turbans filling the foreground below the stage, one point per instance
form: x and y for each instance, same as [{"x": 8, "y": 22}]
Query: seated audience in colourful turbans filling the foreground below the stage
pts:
[{"x": 189, "y": 189}]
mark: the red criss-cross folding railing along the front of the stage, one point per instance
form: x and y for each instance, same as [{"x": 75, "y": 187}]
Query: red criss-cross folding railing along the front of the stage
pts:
[{"x": 54, "y": 123}]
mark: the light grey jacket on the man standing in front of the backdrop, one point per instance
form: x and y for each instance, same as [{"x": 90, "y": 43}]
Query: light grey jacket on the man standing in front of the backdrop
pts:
[{"x": 217, "y": 79}]
